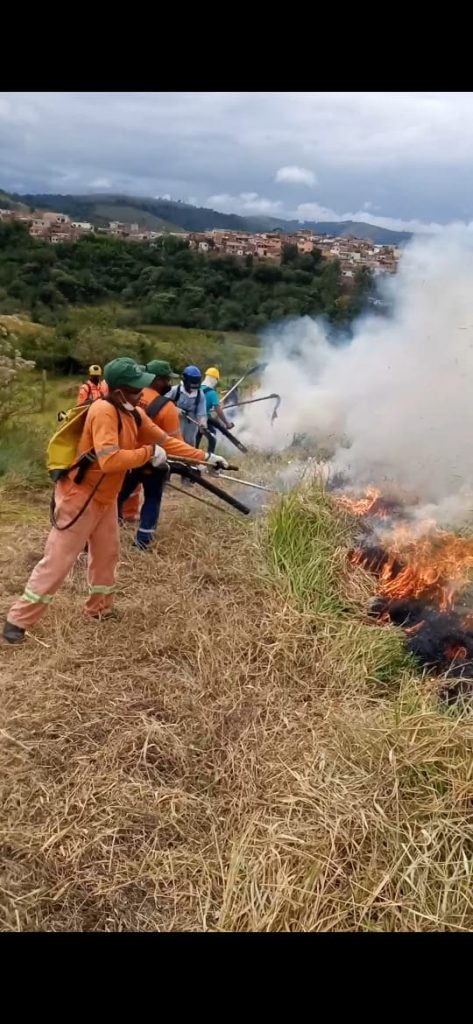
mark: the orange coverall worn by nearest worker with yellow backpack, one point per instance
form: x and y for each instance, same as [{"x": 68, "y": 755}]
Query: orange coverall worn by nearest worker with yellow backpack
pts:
[{"x": 98, "y": 527}]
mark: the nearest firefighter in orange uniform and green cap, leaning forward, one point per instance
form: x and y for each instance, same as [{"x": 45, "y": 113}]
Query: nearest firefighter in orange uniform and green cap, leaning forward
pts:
[{"x": 120, "y": 439}]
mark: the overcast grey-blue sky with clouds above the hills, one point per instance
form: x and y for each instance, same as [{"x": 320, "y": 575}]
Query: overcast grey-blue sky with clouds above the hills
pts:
[{"x": 398, "y": 160}]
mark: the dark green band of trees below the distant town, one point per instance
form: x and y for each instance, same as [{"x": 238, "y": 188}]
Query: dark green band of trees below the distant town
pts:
[{"x": 166, "y": 283}]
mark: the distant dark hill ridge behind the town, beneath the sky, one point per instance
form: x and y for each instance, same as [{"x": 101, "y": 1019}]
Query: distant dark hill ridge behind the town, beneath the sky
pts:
[{"x": 175, "y": 216}]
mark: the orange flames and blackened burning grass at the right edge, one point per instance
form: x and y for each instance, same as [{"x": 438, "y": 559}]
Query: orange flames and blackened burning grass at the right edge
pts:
[{"x": 423, "y": 577}]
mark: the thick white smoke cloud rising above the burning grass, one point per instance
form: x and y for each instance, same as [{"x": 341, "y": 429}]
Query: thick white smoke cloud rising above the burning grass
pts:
[{"x": 395, "y": 407}]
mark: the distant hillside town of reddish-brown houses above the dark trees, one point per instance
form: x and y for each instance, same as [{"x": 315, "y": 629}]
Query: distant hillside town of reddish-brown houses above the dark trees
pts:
[{"x": 352, "y": 252}]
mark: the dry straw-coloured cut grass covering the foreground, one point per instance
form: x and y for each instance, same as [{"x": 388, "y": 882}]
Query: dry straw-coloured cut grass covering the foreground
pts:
[{"x": 236, "y": 754}]
